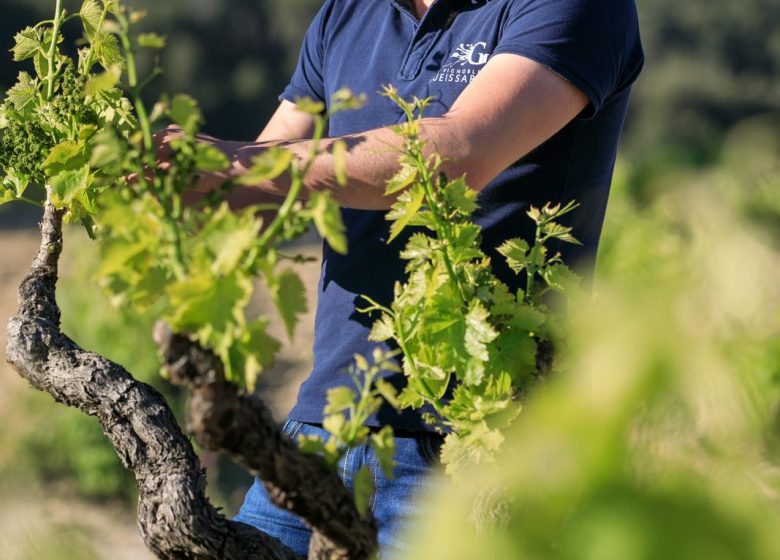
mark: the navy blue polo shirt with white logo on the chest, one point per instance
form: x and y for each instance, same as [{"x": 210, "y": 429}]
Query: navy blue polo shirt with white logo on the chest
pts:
[{"x": 363, "y": 44}]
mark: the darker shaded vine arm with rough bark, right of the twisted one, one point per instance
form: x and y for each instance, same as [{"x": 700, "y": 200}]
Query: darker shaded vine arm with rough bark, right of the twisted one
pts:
[{"x": 223, "y": 418}]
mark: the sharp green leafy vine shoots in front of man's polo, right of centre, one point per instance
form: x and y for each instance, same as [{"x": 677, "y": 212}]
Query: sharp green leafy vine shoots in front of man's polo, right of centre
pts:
[{"x": 471, "y": 348}]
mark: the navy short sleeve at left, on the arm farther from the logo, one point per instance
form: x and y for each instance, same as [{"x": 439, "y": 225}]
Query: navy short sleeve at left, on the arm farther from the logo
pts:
[{"x": 307, "y": 79}]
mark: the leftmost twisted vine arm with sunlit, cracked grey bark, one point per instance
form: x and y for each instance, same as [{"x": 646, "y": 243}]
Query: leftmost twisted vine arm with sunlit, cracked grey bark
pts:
[{"x": 175, "y": 518}]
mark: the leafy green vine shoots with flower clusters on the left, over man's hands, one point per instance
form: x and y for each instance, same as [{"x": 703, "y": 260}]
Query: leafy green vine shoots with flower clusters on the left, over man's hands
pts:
[{"x": 81, "y": 127}]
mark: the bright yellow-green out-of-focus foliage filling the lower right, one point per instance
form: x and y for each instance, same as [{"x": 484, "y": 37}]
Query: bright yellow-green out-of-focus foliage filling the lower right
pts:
[{"x": 662, "y": 440}]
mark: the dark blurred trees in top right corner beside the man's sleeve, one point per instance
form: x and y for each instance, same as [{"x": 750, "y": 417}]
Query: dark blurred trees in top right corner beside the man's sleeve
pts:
[{"x": 709, "y": 64}]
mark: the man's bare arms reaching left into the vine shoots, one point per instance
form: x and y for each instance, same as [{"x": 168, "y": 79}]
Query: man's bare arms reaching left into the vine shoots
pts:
[{"x": 512, "y": 106}]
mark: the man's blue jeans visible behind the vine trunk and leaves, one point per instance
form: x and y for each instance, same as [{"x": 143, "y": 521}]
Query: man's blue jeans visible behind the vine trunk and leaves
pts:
[{"x": 393, "y": 505}]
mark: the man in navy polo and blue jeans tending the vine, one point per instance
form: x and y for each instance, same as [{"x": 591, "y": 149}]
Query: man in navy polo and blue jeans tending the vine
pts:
[{"x": 530, "y": 100}]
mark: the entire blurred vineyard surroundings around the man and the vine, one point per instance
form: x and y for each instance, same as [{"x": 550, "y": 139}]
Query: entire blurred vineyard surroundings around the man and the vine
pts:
[{"x": 670, "y": 413}]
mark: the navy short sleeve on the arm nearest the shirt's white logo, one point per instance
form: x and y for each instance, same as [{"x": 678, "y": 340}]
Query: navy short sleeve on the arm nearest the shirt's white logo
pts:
[{"x": 594, "y": 44}]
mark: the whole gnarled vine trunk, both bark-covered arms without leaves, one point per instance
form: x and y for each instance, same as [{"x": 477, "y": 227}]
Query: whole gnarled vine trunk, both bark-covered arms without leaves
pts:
[{"x": 175, "y": 518}]
